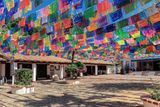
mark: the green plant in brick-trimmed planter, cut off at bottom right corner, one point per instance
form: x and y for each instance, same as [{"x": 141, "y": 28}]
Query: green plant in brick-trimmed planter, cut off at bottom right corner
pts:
[{"x": 153, "y": 99}]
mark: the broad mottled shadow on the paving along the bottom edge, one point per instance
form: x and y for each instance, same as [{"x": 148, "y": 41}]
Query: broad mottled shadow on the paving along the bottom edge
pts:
[{"x": 73, "y": 101}]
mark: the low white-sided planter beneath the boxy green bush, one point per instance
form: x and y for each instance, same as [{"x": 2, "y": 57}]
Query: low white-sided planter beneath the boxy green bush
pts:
[{"x": 22, "y": 90}]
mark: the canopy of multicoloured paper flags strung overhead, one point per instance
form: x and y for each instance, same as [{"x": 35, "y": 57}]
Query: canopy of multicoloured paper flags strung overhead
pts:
[{"x": 95, "y": 29}]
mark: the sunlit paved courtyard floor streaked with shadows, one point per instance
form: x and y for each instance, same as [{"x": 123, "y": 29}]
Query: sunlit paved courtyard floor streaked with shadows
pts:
[{"x": 93, "y": 91}]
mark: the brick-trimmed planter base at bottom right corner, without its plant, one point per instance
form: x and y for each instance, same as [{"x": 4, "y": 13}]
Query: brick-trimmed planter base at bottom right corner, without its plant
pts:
[{"x": 148, "y": 102}]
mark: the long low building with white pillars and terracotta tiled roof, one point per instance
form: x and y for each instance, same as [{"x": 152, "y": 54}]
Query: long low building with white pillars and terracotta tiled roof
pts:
[{"x": 44, "y": 67}]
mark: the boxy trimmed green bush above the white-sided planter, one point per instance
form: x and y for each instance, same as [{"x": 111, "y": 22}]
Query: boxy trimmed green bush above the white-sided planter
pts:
[{"x": 23, "y": 77}]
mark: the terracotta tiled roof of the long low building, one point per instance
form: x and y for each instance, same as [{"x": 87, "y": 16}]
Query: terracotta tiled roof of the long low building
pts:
[{"x": 48, "y": 59}]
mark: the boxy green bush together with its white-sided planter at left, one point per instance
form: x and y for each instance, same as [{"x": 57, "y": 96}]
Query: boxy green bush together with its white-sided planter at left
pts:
[{"x": 23, "y": 83}]
